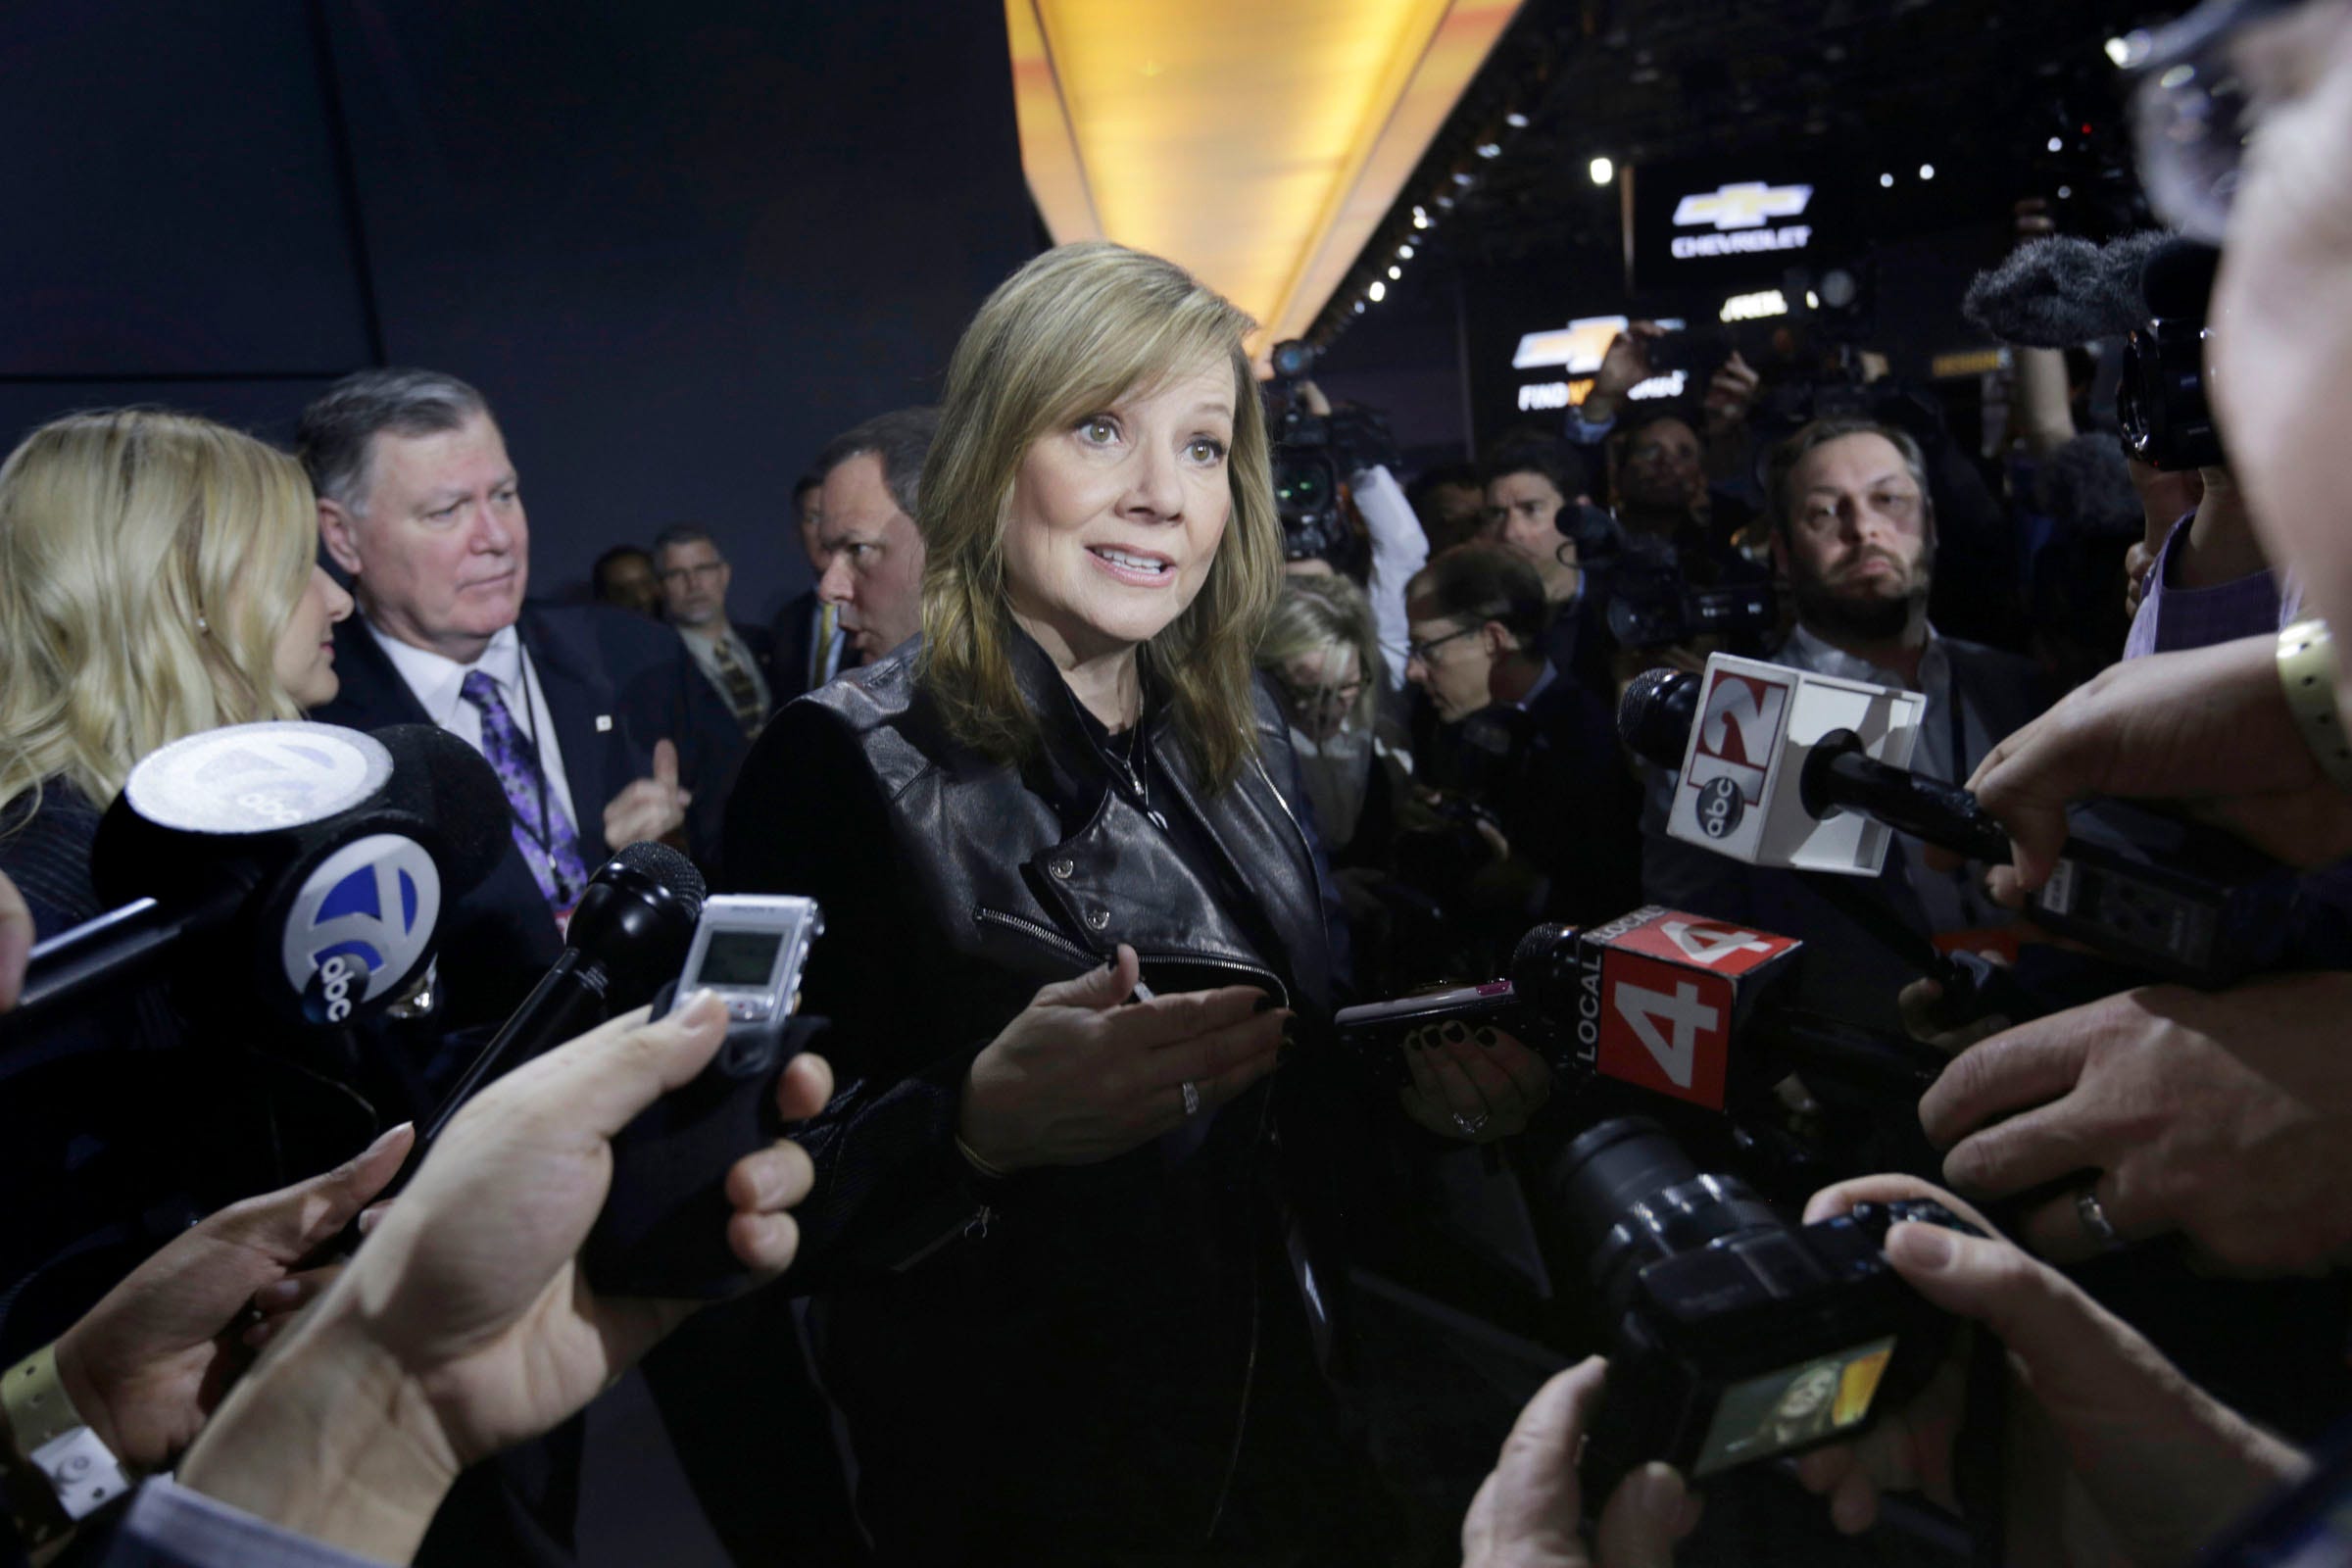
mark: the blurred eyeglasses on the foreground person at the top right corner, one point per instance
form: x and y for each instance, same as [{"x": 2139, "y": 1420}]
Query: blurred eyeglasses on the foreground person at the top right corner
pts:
[{"x": 2193, "y": 112}]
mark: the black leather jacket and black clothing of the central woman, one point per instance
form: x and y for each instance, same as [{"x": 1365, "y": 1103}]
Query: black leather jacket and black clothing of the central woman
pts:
[{"x": 1071, "y": 1348}]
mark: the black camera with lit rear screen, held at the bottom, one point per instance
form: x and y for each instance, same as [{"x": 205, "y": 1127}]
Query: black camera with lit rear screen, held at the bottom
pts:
[{"x": 1732, "y": 1334}]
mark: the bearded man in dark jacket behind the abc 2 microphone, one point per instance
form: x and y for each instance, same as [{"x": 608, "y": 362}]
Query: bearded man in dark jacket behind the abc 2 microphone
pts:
[{"x": 1855, "y": 537}]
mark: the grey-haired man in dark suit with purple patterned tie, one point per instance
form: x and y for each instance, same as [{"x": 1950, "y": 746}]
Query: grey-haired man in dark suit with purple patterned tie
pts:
[{"x": 596, "y": 721}]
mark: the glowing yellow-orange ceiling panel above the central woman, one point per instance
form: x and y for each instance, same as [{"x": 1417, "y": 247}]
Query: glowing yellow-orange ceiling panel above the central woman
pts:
[{"x": 1255, "y": 142}]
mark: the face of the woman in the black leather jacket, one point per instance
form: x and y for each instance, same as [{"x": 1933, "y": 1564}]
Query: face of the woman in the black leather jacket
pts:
[{"x": 1118, "y": 516}]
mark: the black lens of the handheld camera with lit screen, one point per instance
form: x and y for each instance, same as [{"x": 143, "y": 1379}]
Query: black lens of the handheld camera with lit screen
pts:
[{"x": 1631, "y": 1198}]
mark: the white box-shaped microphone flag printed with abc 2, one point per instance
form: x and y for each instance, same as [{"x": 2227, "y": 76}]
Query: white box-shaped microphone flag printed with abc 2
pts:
[{"x": 1739, "y": 789}]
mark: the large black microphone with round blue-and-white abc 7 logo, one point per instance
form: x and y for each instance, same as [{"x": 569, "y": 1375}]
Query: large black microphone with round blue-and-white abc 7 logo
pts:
[{"x": 305, "y": 862}]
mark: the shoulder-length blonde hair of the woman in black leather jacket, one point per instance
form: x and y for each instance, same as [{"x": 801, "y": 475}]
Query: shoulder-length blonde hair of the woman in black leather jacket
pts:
[{"x": 1069, "y": 335}]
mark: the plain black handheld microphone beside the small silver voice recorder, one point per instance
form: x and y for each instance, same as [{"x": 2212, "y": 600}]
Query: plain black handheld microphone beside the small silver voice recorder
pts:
[{"x": 627, "y": 939}]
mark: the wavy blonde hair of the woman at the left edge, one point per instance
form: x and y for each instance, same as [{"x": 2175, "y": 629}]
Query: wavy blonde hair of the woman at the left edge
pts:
[{"x": 149, "y": 565}]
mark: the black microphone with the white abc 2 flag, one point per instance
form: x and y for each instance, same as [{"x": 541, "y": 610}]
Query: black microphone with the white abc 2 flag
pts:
[{"x": 1765, "y": 768}]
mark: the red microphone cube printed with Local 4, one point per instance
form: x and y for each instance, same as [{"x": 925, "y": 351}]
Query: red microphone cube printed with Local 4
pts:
[{"x": 1662, "y": 998}]
